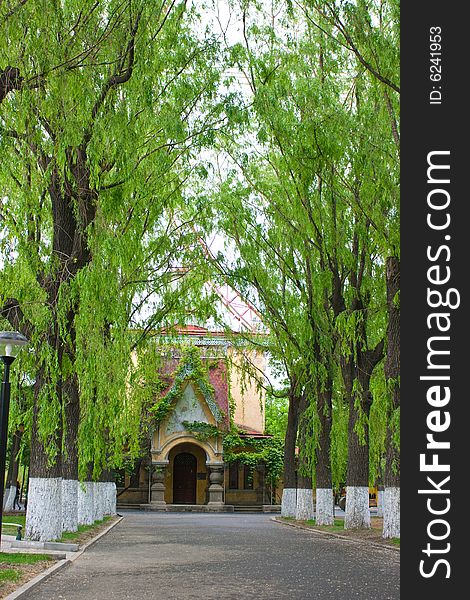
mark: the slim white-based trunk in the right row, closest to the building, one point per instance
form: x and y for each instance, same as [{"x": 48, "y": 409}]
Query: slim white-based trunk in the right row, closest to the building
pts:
[{"x": 289, "y": 492}]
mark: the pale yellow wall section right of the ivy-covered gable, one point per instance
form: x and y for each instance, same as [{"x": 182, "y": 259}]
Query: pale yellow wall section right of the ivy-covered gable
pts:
[{"x": 248, "y": 400}]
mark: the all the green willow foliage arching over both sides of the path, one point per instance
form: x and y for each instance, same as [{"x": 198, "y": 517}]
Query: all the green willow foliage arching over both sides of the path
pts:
[{"x": 127, "y": 123}]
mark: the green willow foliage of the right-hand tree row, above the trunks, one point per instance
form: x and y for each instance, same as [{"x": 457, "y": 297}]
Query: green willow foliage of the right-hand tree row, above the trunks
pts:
[{"x": 312, "y": 207}]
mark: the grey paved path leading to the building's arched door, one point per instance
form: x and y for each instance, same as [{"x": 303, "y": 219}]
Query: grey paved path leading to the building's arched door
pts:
[{"x": 188, "y": 556}]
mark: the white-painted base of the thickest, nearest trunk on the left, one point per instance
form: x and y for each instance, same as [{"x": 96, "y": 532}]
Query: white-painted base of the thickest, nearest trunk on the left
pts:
[{"x": 44, "y": 513}]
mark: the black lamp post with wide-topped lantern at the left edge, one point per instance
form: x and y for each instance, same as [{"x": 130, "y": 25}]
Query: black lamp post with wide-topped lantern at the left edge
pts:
[{"x": 10, "y": 344}]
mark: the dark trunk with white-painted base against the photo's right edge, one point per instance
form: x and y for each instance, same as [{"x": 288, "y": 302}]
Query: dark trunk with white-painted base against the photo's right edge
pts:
[{"x": 391, "y": 504}]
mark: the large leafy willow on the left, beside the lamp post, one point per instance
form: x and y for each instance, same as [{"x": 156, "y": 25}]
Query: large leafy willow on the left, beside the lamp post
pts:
[{"x": 101, "y": 104}]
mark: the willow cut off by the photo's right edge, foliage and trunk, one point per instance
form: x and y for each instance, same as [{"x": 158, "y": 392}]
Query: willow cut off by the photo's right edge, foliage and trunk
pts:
[{"x": 370, "y": 33}]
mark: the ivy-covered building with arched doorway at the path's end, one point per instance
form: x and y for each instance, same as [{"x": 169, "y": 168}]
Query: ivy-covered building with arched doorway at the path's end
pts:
[{"x": 204, "y": 395}]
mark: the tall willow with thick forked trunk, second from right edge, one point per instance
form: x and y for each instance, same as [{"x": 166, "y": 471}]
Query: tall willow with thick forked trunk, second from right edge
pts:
[{"x": 316, "y": 176}]
